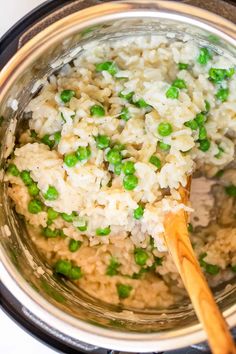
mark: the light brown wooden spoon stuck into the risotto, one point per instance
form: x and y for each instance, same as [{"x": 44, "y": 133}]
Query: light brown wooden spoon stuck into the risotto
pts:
[{"x": 179, "y": 246}]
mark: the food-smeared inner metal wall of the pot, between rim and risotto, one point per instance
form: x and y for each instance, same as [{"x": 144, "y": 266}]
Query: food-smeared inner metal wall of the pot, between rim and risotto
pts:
[{"x": 18, "y": 247}]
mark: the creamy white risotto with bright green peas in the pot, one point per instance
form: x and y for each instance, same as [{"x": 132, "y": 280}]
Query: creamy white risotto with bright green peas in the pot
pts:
[{"x": 110, "y": 138}]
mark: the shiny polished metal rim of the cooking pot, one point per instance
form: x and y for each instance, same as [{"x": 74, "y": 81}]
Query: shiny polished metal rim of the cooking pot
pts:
[{"x": 16, "y": 284}]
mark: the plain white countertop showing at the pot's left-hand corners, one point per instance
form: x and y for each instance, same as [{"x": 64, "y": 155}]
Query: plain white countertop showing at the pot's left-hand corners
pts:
[{"x": 15, "y": 340}]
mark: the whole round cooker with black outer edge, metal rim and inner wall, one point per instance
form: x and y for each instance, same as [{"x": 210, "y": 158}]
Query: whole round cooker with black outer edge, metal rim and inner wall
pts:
[{"x": 53, "y": 34}]
